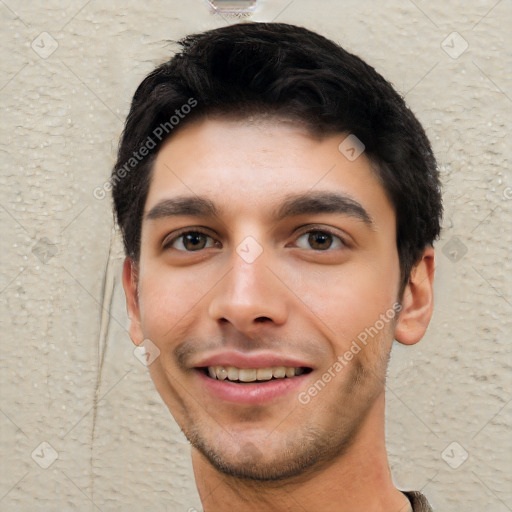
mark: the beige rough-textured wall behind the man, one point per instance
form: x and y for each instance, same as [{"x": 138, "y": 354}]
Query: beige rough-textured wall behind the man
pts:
[{"x": 69, "y": 377}]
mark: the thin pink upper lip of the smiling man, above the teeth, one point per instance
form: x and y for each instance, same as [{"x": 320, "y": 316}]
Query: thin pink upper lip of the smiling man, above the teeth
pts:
[{"x": 256, "y": 360}]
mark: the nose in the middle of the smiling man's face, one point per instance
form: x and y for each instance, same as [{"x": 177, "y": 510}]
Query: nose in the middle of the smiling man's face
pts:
[{"x": 250, "y": 297}]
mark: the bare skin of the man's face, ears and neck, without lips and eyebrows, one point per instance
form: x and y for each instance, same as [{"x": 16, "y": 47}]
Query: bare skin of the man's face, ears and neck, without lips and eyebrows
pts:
[{"x": 294, "y": 299}]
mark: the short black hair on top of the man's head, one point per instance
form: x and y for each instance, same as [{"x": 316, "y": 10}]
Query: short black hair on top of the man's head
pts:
[{"x": 290, "y": 72}]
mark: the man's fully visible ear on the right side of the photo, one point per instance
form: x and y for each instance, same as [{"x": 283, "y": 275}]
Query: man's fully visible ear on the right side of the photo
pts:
[{"x": 417, "y": 301}]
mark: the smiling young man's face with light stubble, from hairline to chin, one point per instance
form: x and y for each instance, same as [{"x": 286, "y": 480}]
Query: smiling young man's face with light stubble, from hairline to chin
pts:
[{"x": 265, "y": 254}]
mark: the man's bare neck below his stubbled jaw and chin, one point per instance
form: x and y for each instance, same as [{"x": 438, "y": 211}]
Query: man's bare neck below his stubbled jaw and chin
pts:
[{"x": 359, "y": 480}]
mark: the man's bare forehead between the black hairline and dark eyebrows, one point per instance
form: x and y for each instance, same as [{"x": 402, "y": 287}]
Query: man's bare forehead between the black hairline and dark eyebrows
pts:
[{"x": 251, "y": 165}]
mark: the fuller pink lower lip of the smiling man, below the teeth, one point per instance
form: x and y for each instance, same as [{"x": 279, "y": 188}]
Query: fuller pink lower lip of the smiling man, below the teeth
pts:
[{"x": 251, "y": 393}]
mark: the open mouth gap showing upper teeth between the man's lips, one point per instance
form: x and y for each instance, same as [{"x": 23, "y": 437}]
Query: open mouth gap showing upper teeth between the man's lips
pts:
[{"x": 251, "y": 375}]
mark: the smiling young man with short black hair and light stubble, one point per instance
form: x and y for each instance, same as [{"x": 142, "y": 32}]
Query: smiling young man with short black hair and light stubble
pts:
[{"x": 278, "y": 203}]
